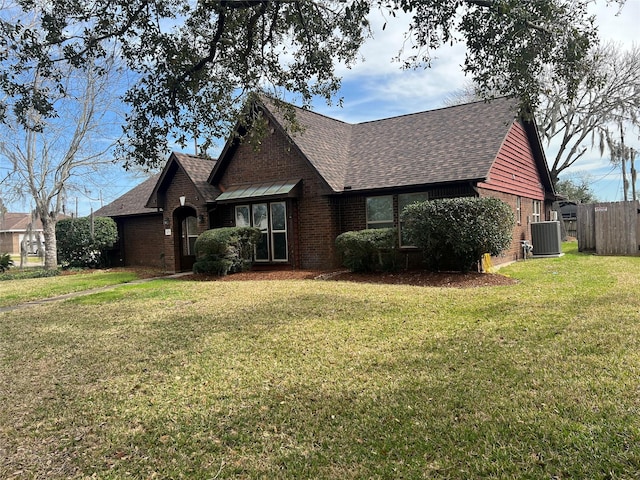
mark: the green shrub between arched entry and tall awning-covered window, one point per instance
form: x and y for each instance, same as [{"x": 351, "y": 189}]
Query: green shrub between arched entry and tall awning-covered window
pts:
[{"x": 225, "y": 250}]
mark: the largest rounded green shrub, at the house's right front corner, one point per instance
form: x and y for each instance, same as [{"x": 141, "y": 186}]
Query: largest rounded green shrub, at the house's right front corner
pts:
[{"x": 454, "y": 233}]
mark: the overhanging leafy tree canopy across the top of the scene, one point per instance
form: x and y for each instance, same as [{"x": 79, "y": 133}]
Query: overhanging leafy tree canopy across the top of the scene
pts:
[{"x": 195, "y": 62}]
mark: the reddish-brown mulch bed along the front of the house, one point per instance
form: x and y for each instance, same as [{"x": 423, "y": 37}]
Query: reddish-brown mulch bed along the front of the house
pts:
[{"x": 417, "y": 277}]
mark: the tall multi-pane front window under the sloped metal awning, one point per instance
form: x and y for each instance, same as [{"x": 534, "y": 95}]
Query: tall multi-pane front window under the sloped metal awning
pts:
[{"x": 271, "y": 219}]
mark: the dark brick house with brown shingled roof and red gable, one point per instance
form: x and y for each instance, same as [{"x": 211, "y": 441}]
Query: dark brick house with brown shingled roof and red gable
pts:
[{"x": 303, "y": 188}]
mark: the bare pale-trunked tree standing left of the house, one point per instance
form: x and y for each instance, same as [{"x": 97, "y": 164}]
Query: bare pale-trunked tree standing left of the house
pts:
[{"x": 49, "y": 157}]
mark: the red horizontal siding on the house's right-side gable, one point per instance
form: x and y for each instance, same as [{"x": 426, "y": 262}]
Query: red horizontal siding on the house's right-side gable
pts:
[{"x": 515, "y": 170}]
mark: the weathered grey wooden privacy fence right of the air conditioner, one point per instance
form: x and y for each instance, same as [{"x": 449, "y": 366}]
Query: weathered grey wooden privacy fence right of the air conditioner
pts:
[{"x": 609, "y": 228}]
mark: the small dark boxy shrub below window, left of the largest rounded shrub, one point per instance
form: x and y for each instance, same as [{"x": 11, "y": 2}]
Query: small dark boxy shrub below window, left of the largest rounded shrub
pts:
[{"x": 368, "y": 250}]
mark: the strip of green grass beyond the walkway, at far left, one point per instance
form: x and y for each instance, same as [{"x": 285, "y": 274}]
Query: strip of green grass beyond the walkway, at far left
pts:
[{"x": 15, "y": 292}]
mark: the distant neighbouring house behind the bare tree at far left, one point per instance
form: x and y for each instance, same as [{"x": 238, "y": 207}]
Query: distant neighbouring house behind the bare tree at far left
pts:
[{"x": 13, "y": 229}]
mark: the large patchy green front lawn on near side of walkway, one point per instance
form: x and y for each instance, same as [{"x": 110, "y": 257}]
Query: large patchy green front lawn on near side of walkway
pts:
[{"x": 323, "y": 379}]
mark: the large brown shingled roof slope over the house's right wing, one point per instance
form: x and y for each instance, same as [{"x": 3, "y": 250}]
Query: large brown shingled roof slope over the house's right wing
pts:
[{"x": 451, "y": 144}]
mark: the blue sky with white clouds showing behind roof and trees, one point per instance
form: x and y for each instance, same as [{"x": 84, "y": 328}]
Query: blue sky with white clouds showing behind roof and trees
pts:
[{"x": 376, "y": 87}]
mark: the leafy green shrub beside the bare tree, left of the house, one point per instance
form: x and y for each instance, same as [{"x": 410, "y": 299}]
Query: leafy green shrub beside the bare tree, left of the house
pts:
[{"x": 80, "y": 245}]
